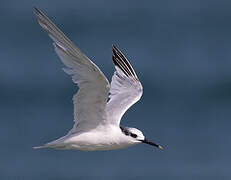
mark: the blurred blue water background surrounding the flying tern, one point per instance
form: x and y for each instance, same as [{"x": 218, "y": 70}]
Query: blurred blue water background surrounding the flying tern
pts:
[{"x": 181, "y": 51}]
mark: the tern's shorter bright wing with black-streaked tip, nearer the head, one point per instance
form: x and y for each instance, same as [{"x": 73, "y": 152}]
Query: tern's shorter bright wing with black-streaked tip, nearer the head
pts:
[{"x": 126, "y": 88}]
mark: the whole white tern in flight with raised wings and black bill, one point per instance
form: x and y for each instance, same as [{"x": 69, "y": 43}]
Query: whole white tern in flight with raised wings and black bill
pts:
[{"x": 98, "y": 105}]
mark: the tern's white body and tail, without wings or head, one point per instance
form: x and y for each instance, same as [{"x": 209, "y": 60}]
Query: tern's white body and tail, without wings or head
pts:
[{"x": 101, "y": 138}]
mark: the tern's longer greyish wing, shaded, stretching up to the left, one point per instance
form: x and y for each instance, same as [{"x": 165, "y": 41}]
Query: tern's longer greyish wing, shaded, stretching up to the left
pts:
[{"x": 90, "y": 101}]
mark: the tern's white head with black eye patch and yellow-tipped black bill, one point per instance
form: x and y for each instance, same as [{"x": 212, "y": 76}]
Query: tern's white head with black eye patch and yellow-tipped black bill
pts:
[{"x": 138, "y": 136}]
